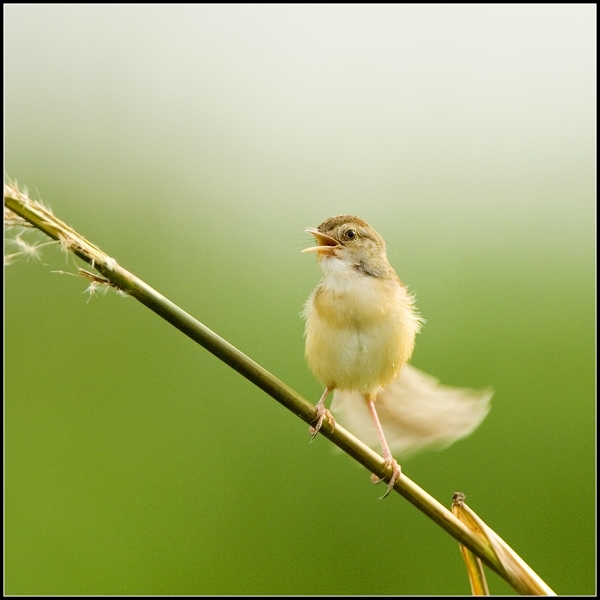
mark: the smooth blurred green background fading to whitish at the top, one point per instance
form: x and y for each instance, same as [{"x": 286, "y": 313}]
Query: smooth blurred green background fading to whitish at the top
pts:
[{"x": 194, "y": 144}]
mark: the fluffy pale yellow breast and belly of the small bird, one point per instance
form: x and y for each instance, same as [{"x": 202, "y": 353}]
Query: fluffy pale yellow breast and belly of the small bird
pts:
[{"x": 360, "y": 330}]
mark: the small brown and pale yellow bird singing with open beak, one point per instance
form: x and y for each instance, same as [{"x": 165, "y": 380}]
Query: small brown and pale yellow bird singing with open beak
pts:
[{"x": 360, "y": 328}]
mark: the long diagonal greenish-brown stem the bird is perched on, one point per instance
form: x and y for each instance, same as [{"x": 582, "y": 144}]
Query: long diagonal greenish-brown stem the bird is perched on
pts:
[{"x": 41, "y": 218}]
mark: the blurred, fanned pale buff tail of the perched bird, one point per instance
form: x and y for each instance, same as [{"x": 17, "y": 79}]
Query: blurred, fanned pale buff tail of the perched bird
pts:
[{"x": 415, "y": 411}]
